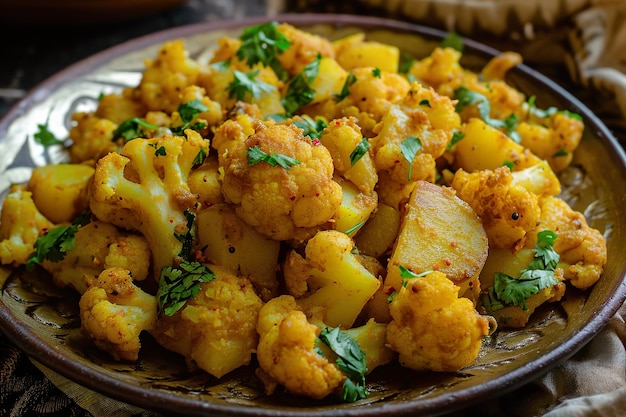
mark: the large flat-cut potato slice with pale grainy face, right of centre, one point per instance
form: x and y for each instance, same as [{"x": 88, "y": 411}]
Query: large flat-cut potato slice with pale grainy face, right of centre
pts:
[{"x": 439, "y": 232}]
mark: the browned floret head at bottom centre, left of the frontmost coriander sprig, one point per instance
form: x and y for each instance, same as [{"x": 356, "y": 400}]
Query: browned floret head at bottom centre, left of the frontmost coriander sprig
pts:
[{"x": 287, "y": 354}]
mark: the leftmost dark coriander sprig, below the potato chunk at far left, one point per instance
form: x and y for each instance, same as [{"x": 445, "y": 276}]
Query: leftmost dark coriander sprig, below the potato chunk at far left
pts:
[{"x": 55, "y": 244}]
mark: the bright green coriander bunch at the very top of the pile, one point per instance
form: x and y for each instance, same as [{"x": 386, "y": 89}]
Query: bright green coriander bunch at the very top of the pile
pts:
[{"x": 262, "y": 44}]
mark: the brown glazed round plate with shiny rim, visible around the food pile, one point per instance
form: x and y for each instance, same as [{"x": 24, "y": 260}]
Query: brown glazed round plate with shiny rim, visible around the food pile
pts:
[{"x": 43, "y": 320}]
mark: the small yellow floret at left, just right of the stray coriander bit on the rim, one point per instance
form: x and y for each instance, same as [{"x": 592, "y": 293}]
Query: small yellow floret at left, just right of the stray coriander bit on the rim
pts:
[{"x": 92, "y": 138}]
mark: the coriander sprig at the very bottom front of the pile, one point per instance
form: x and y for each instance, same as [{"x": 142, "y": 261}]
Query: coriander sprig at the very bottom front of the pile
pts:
[{"x": 351, "y": 361}]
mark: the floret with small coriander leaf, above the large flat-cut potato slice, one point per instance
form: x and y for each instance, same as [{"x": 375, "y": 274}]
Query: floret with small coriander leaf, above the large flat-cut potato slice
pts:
[{"x": 424, "y": 115}]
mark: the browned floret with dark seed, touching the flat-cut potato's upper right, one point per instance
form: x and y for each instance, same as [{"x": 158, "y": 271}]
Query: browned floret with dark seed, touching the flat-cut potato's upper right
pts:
[{"x": 508, "y": 211}]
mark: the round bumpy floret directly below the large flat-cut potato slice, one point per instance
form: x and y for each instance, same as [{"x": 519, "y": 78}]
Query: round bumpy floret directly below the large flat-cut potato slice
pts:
[{"x": 433, "y": 329}]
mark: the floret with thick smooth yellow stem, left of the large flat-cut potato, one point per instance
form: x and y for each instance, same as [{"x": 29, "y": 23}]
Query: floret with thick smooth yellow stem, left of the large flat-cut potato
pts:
[{"x": 331, "y": 277}]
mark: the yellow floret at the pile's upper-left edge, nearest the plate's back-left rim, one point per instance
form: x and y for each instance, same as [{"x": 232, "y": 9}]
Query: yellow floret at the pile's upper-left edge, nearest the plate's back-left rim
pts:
[{"x": 166, "y": 76}]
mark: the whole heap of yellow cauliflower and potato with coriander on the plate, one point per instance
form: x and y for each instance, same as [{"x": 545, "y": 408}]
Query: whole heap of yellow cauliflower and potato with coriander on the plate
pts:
[{"x": 316, "y": 207}]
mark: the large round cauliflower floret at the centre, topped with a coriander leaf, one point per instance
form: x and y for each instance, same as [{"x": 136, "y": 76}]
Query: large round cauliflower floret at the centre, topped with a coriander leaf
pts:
[{"x": 283, "y": 203}]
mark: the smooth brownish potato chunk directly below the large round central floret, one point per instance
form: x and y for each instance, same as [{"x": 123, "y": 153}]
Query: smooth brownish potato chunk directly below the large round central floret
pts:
[{"x": 230, "y": 242}]
